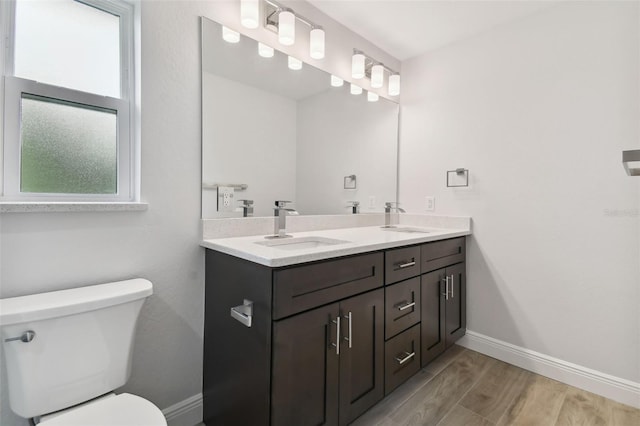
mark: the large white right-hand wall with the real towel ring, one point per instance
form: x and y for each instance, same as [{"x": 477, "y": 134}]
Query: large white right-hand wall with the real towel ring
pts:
[{"x": 539, "y": 111}]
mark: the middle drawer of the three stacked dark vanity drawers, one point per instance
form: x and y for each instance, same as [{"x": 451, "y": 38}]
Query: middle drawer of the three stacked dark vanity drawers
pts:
[{"x": 402, "y": 306}]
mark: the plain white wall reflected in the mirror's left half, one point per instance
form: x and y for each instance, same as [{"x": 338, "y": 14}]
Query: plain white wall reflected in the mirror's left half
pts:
[{"x": 249, "y": 138}]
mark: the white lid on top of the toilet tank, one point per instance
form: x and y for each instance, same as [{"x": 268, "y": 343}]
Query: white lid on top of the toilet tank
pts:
[{"x": 41, "y": 306}]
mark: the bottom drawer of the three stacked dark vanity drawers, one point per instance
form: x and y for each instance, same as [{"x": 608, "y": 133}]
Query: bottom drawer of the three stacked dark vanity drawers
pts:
[{"x": 402, "y": 358}]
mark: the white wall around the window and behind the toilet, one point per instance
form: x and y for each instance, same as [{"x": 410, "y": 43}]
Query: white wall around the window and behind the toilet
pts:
[{"x": 51, "y": 251}]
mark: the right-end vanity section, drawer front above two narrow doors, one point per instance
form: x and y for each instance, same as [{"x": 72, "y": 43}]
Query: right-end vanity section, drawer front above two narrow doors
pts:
[{"x": 443, "y": 297}]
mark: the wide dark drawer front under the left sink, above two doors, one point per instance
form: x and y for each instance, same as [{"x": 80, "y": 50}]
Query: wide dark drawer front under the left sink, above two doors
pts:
[{"x": 305, "y": 287}]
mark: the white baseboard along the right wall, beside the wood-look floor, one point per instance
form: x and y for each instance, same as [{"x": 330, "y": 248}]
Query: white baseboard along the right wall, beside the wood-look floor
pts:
[{"x": 615, "y": 388}]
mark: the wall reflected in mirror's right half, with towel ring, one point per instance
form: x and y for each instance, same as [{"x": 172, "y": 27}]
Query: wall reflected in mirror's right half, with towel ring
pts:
[{"x": 340, "y": 135}]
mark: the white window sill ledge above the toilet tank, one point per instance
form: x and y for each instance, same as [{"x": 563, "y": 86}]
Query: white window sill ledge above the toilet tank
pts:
[{"x": 70, "y": 206}]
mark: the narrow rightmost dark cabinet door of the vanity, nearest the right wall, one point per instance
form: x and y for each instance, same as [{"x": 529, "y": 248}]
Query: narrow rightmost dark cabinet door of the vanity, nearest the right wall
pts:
[{"x": 456, "y": 310}]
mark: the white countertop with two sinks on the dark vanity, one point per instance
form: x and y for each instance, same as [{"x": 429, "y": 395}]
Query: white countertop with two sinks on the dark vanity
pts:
[{"x": 358, "y": 240}]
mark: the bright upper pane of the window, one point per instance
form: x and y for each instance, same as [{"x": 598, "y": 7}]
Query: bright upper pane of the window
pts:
[{"x": 68, "y": 44}]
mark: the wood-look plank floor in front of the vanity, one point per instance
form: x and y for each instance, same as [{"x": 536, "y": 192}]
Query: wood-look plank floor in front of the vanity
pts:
[{"x": 465, "y": 388}]
